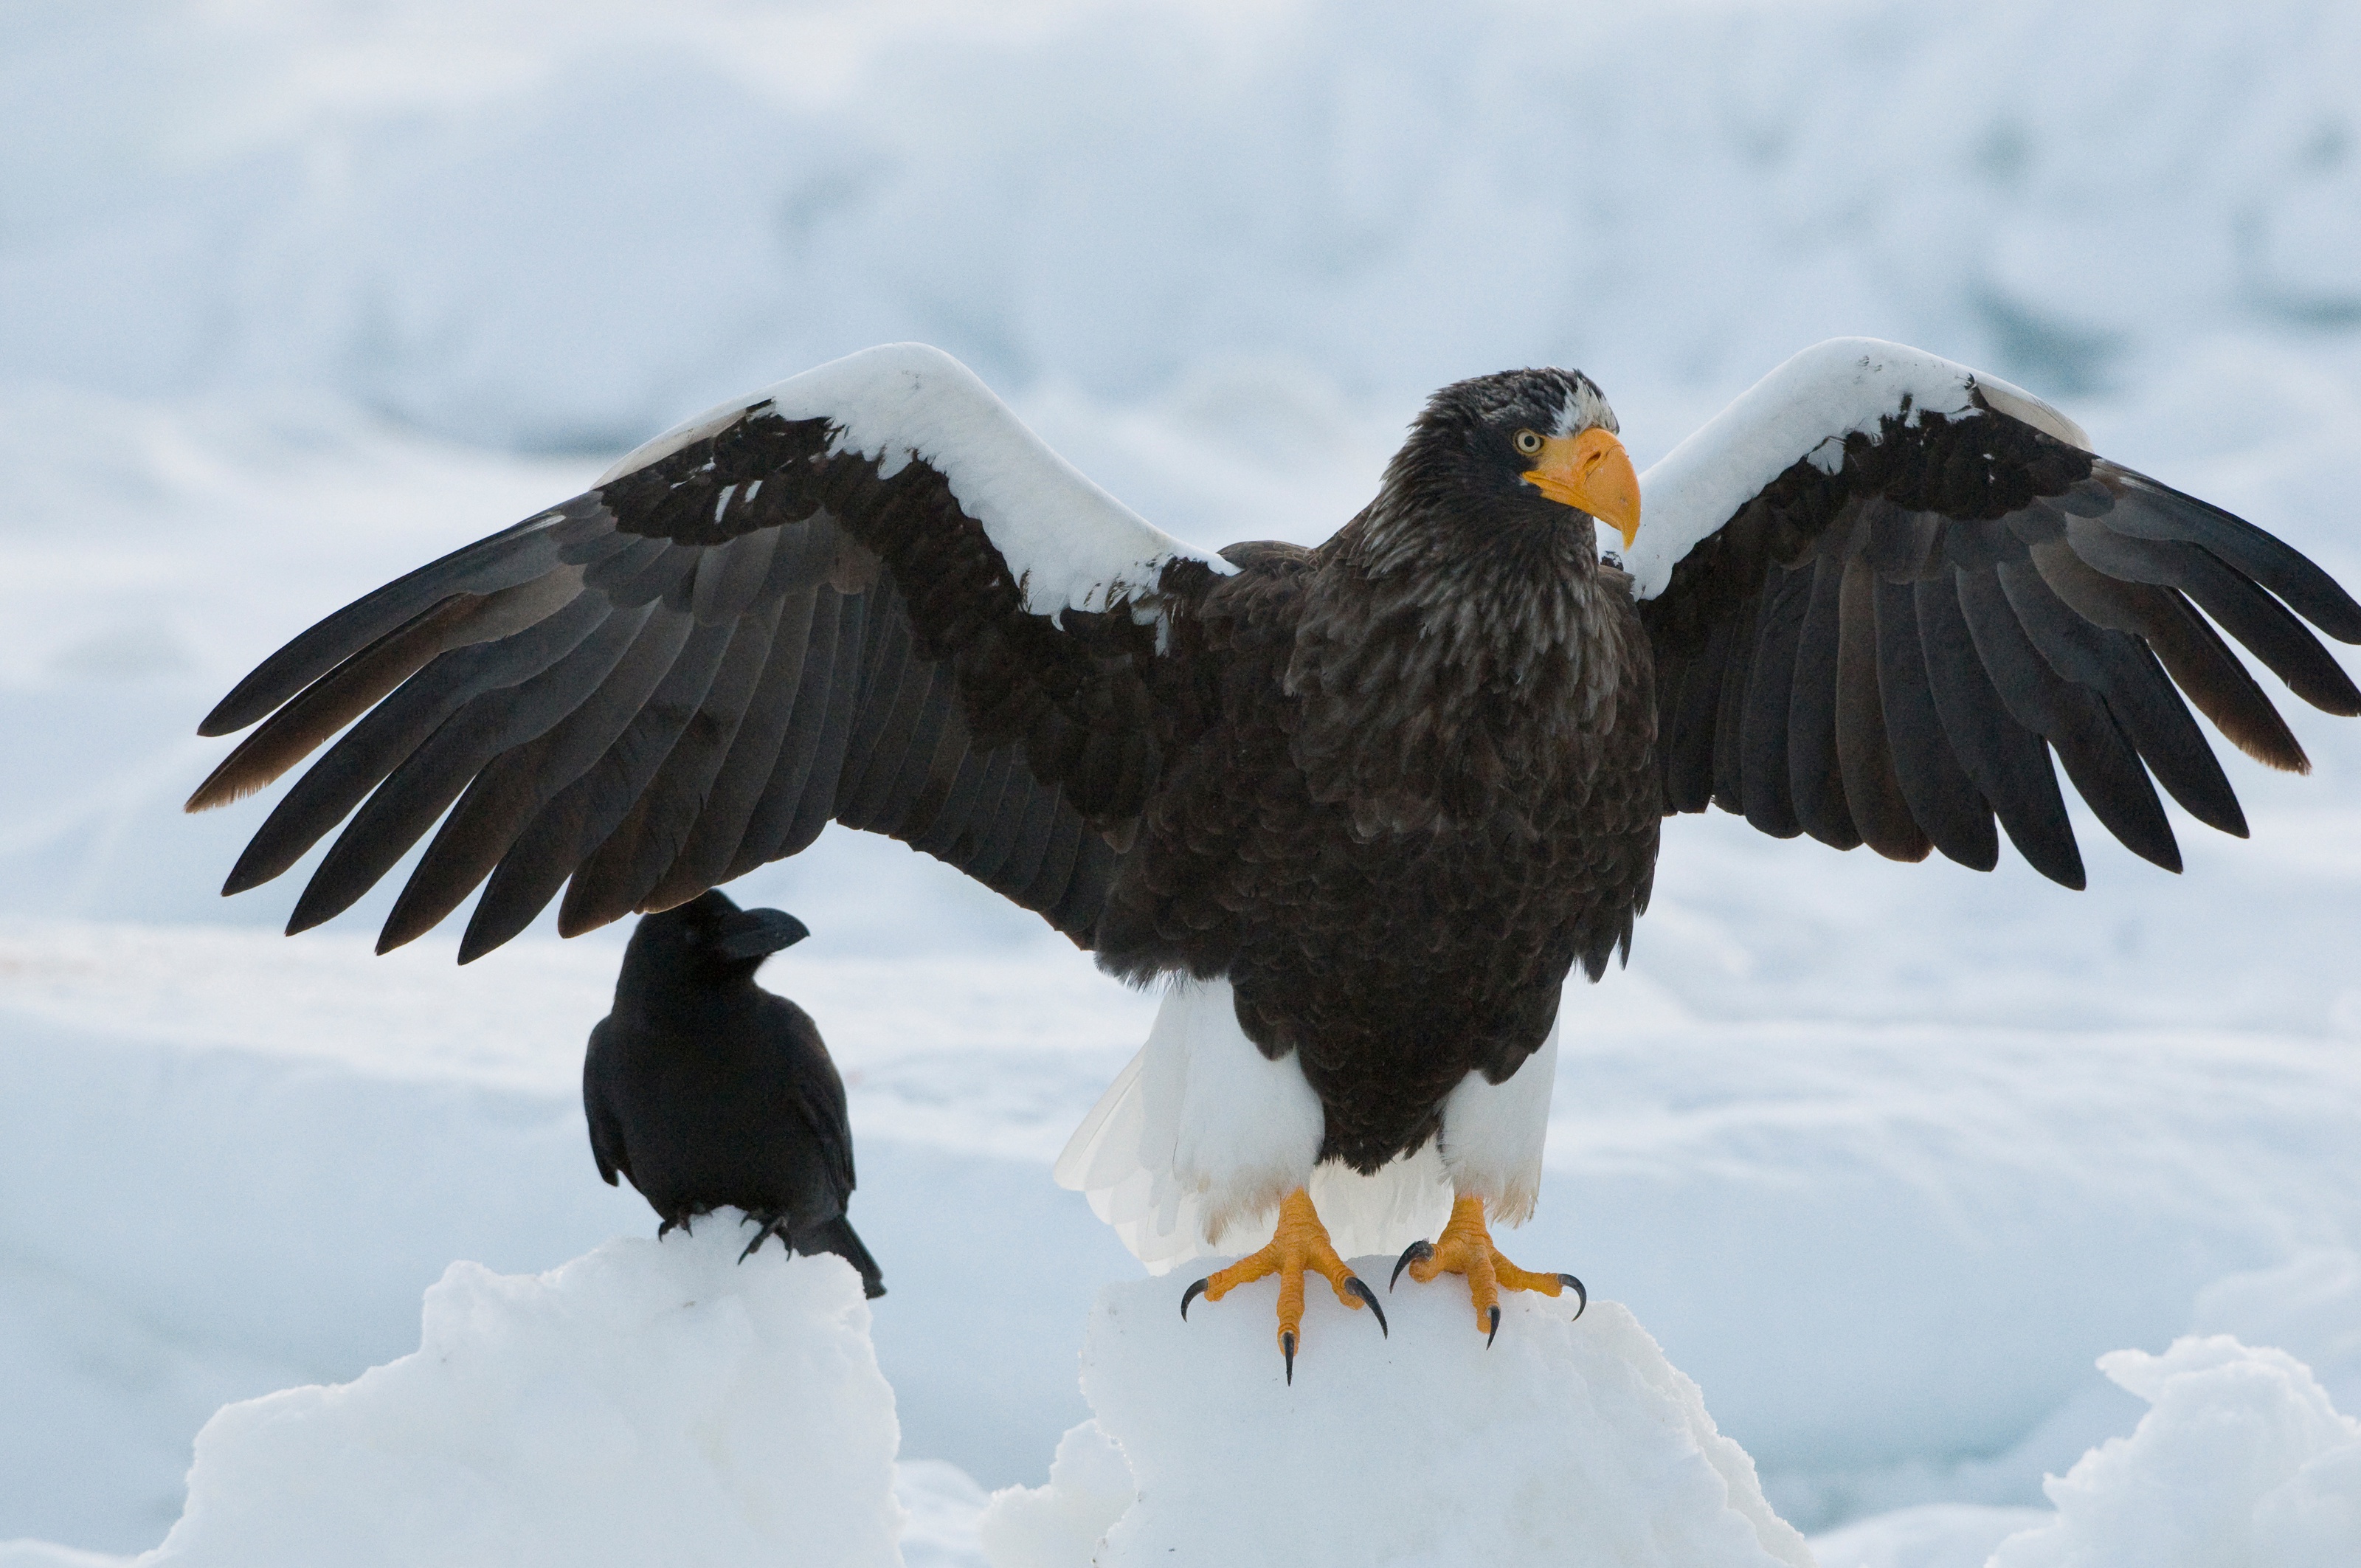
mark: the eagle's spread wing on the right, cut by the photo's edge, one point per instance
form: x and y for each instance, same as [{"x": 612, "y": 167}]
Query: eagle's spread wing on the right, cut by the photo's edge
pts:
[{"x": 1885, "y": 589}]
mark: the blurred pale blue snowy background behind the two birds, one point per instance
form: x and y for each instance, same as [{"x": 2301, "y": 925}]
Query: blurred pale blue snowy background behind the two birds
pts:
[{"x": 296, "y": 294}]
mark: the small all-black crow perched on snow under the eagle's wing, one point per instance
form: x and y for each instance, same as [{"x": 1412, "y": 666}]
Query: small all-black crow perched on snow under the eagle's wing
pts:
[{"x": 707, "y": 1090}]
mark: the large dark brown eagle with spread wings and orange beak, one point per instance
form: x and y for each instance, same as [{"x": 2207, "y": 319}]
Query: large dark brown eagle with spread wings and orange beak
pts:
[{"x": 1361, "y": 809}]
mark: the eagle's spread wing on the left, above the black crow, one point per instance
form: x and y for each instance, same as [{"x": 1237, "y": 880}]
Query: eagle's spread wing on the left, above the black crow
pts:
[{"x": 868, "y": 594}]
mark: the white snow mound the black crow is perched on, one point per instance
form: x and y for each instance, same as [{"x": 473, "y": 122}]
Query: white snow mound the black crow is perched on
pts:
[{"x": 646, "y": 1404}]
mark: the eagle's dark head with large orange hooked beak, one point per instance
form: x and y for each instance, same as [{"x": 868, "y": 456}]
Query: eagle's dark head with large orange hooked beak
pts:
[{"x": 1517, "y": 447}]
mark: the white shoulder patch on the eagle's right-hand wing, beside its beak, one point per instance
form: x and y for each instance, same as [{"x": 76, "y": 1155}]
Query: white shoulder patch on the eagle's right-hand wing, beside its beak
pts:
[{"x": 1800, "y": 412}]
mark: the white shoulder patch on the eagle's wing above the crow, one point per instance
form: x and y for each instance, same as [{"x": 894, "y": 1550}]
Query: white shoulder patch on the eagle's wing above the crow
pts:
[{"x": 1068, "y": 542}]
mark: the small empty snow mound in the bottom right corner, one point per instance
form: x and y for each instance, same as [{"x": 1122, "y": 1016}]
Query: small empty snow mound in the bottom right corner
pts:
[{"x": 2239, "y": 1461}]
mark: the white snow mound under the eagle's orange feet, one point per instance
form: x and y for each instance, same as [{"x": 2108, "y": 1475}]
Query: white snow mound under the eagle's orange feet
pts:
[{"x": 1567, "y": 1442}]
